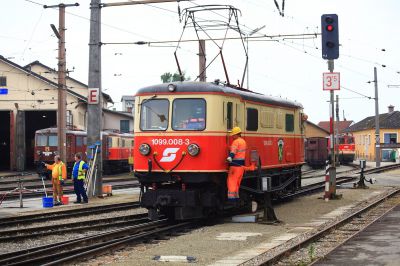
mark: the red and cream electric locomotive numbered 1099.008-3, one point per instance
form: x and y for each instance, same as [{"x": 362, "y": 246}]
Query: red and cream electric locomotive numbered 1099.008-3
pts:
[{"x": 182, "y": 141}]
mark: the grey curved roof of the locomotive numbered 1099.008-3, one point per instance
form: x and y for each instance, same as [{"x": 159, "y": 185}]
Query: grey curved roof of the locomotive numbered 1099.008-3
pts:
[{"x": 202, "y": 87}]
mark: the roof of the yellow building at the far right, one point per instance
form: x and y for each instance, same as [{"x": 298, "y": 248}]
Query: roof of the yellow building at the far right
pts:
[{"x": 388, "y": 120}]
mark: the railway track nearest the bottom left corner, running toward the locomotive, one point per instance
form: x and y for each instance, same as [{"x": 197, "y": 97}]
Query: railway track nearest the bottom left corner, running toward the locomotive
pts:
[{"x": 61, "y": 252}]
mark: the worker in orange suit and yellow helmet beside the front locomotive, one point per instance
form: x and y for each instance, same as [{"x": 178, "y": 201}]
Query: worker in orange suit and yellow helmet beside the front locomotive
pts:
[{"x": 236, "y": 159}]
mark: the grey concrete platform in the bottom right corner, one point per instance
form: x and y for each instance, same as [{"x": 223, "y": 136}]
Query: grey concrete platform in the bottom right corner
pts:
[{"x": 378, "y": 244}]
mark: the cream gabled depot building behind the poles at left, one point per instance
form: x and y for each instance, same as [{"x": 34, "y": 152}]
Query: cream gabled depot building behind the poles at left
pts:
[{"x": 29, "y": 101}]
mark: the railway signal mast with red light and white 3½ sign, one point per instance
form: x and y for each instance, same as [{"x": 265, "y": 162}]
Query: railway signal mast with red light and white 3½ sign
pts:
[{"x": 331, "y": 82}]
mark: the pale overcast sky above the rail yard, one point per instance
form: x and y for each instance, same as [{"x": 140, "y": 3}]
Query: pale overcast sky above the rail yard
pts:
[{"x": 289, "y": 68}]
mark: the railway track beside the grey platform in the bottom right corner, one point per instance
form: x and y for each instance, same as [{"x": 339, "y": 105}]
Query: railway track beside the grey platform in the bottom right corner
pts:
[{"x": 324, "y": 240}]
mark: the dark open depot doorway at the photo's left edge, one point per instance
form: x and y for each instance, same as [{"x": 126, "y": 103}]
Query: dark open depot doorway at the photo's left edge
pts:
[{"x": 5, "y": 150}]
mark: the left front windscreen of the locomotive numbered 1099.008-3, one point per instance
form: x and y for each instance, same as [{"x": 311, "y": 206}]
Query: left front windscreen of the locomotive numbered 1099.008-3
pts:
[{"x": 154, "y": 114}]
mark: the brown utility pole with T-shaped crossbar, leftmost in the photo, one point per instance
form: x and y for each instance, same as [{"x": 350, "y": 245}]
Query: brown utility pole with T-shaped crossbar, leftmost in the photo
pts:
[{"x": 62, "y": 97}]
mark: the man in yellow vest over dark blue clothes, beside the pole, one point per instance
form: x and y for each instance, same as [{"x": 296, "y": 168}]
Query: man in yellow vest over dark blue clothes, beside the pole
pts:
[{"x": 78, "y": 176}]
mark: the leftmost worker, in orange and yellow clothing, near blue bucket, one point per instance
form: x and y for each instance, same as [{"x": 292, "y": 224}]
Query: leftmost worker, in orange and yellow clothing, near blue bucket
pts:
[{"x": 59, "y": 174}]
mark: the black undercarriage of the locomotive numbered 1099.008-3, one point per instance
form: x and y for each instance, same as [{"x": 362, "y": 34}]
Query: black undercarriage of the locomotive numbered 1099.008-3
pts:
[{"x": 194, "y": 196}]
